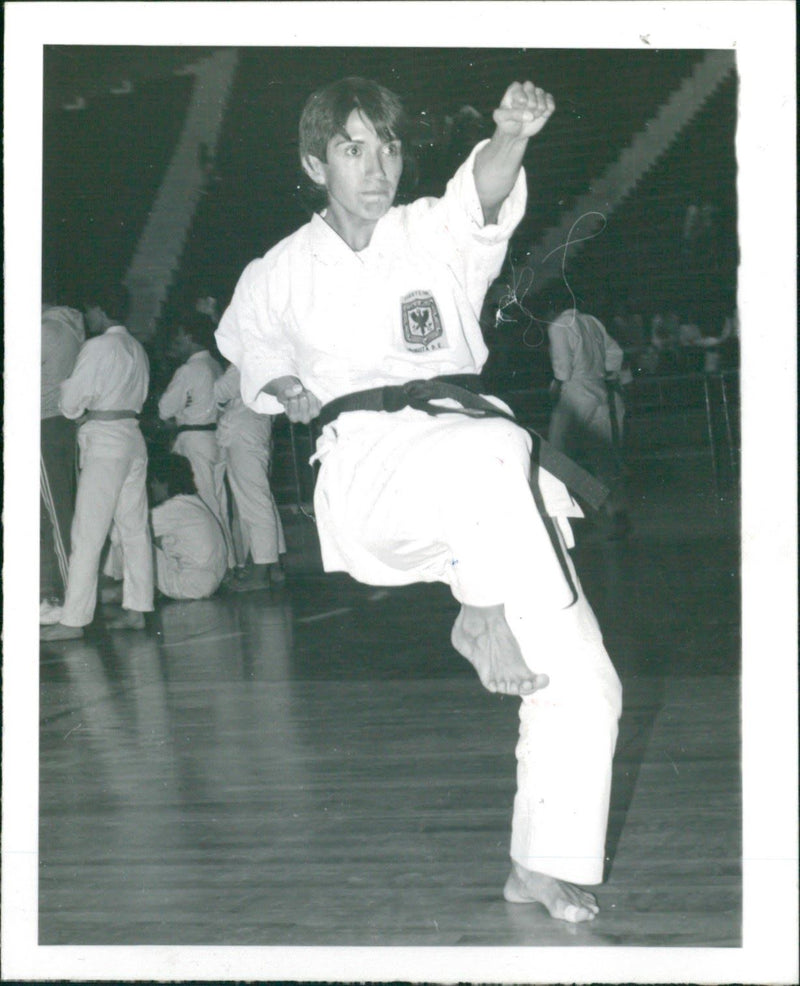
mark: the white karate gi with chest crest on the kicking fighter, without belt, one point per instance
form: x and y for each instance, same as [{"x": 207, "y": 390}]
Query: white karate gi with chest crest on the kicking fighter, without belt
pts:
[{"x": 406, "y": 497}]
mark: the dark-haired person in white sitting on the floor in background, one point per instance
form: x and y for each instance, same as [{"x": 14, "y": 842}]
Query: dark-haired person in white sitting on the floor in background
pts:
[{"x": 191, "y": 557}]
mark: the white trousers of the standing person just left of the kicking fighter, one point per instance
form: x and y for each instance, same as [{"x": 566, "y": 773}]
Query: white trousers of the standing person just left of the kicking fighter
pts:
[{"x": 259, "y": 521}]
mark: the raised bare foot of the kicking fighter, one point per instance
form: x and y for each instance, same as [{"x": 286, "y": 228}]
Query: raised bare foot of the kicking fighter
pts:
[{"x": 482, "y": 635}]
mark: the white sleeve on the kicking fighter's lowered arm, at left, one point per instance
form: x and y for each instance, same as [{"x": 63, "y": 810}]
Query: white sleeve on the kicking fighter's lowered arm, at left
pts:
[{"x": 251, "y": 337}]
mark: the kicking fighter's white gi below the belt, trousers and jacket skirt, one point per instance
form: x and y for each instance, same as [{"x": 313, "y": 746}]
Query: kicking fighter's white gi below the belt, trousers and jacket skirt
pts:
[{"x": 407, "y": 497}]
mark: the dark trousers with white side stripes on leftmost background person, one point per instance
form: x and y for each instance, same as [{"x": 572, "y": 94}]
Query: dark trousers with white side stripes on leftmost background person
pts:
[{"x": 57, "y": 482}]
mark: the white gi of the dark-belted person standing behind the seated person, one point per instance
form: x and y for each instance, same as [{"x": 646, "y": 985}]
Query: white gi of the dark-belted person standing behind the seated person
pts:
[{"x": 190, "y": 399}]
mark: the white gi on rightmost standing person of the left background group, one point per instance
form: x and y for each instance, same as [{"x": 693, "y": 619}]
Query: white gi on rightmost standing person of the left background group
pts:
[{"x": 244, "y": 438}]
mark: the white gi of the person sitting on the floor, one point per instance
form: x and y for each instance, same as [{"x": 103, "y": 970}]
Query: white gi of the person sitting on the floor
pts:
[{"x": 192, "y": 557}]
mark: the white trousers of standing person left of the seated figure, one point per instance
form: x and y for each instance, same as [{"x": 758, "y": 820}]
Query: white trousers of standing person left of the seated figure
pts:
[{"x": 111, "y": 490}]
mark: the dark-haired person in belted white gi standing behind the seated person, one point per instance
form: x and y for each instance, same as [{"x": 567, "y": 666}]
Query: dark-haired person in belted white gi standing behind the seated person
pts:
[{"x": 190, "y": 401}]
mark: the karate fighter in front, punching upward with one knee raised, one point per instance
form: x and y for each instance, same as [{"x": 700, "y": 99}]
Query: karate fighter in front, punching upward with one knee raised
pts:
[{"x": 369, "y": 296}]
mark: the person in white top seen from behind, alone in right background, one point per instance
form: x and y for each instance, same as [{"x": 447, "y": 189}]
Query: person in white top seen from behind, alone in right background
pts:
[{"x": 587, "y": 367}]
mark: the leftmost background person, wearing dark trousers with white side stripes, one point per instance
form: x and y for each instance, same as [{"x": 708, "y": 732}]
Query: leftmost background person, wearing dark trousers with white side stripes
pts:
[{"x": 63, "y": 334}]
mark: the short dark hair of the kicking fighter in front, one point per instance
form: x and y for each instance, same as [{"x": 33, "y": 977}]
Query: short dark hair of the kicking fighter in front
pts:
[{"x": 326, "y": 111}]
